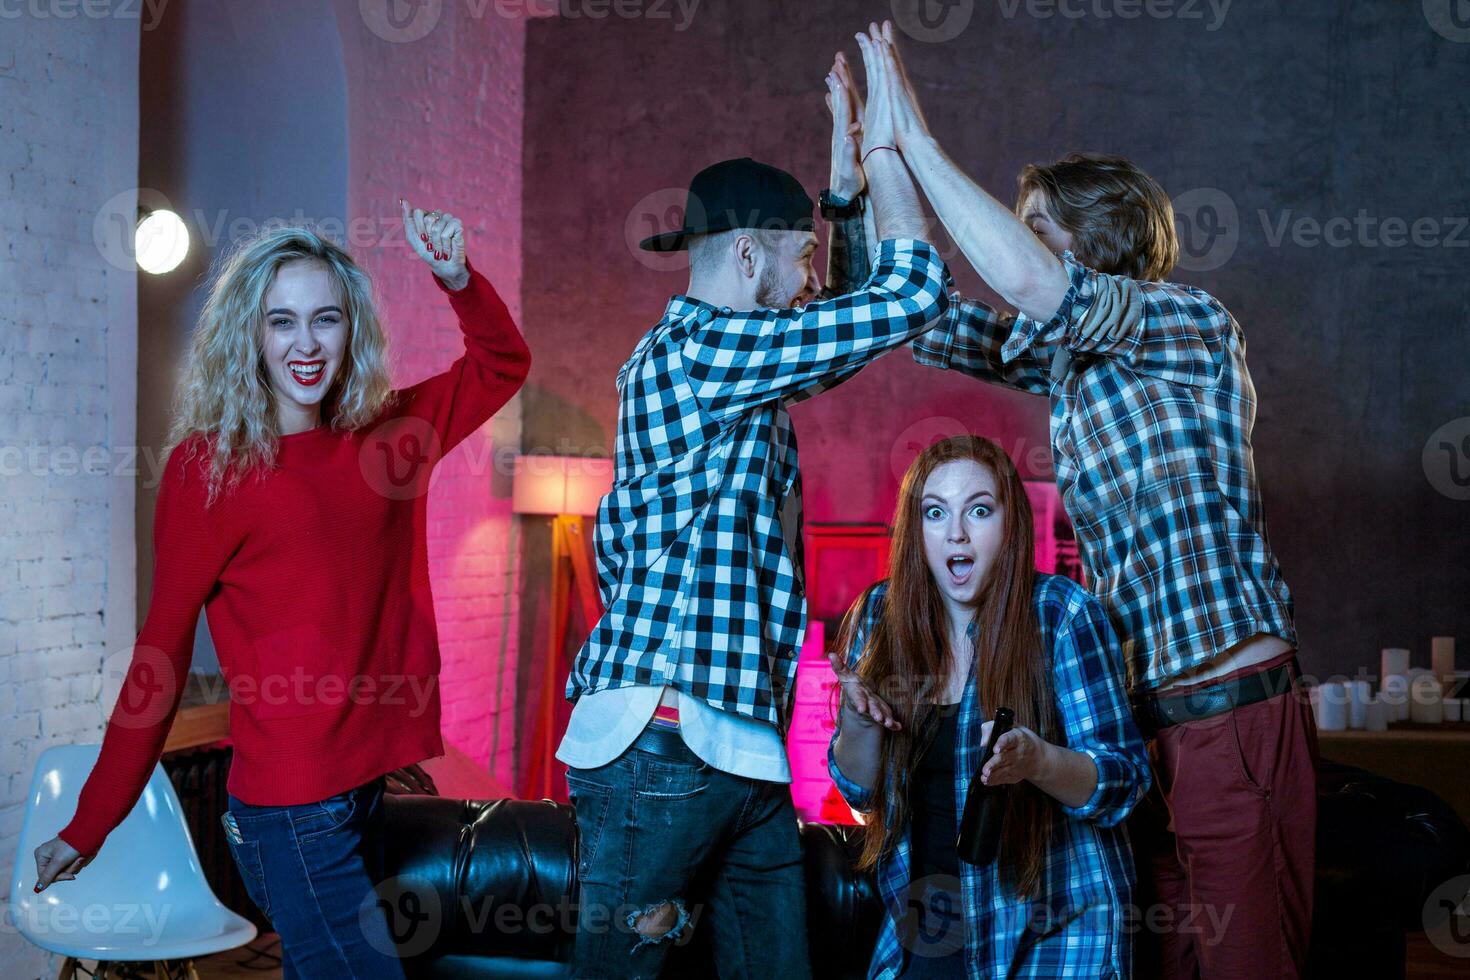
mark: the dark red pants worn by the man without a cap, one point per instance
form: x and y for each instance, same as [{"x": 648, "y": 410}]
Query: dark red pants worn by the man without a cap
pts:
[{"x": 1225, "y": 843}]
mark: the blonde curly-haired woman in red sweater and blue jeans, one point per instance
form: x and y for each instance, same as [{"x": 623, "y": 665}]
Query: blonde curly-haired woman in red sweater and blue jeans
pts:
[{"x": 293, "y": 512}]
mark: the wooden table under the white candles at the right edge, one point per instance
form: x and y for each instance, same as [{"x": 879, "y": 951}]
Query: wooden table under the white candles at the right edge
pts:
[{"x": 1437, "y": 759}]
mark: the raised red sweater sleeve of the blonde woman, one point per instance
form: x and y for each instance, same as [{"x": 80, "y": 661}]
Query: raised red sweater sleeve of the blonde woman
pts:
[{"x": 493, "y": 368}]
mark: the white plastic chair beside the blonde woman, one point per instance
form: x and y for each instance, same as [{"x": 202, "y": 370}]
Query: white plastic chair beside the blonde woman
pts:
[{"x": 143, "y": 898}]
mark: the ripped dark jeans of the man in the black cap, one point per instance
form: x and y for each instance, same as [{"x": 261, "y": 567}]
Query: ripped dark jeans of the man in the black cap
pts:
[{"x": 673, "y": 844}]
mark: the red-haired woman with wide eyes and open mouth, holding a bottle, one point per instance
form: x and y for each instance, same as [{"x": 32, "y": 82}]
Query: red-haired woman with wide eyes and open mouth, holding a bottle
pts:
[{"x": 962, "y": 627}]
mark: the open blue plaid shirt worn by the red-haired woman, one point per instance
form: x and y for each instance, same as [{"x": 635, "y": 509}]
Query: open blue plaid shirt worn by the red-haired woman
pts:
[{"x": 1075, "y": 928}]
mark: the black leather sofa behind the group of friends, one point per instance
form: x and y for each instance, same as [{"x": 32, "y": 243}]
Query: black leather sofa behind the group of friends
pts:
[{"x": 487, "y": 888}]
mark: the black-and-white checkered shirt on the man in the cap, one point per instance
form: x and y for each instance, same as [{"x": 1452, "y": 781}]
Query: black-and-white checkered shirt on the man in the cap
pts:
[{"x": 699, "y": 543}]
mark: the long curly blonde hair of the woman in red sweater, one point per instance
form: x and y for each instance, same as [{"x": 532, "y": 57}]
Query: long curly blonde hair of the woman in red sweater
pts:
[{"x": 226, "y": 397}]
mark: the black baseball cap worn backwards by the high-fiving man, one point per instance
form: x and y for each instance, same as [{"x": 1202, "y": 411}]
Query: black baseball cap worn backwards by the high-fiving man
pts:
[{"x": 739, "y": 195}]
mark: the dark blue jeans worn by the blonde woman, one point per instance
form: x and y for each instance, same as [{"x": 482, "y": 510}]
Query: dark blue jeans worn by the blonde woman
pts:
[{"x": 311, "y": 869}]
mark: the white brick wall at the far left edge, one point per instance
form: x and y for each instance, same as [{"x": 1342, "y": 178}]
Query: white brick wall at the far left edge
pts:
[{"x": 68, "y": 386}]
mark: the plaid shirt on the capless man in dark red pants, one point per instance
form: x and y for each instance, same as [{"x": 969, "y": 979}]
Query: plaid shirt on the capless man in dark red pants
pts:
[{"x": 1152, "y": 444}]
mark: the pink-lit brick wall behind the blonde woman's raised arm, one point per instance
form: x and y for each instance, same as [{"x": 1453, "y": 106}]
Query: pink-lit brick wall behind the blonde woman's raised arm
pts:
[{"x": 436, "y": 117}]
